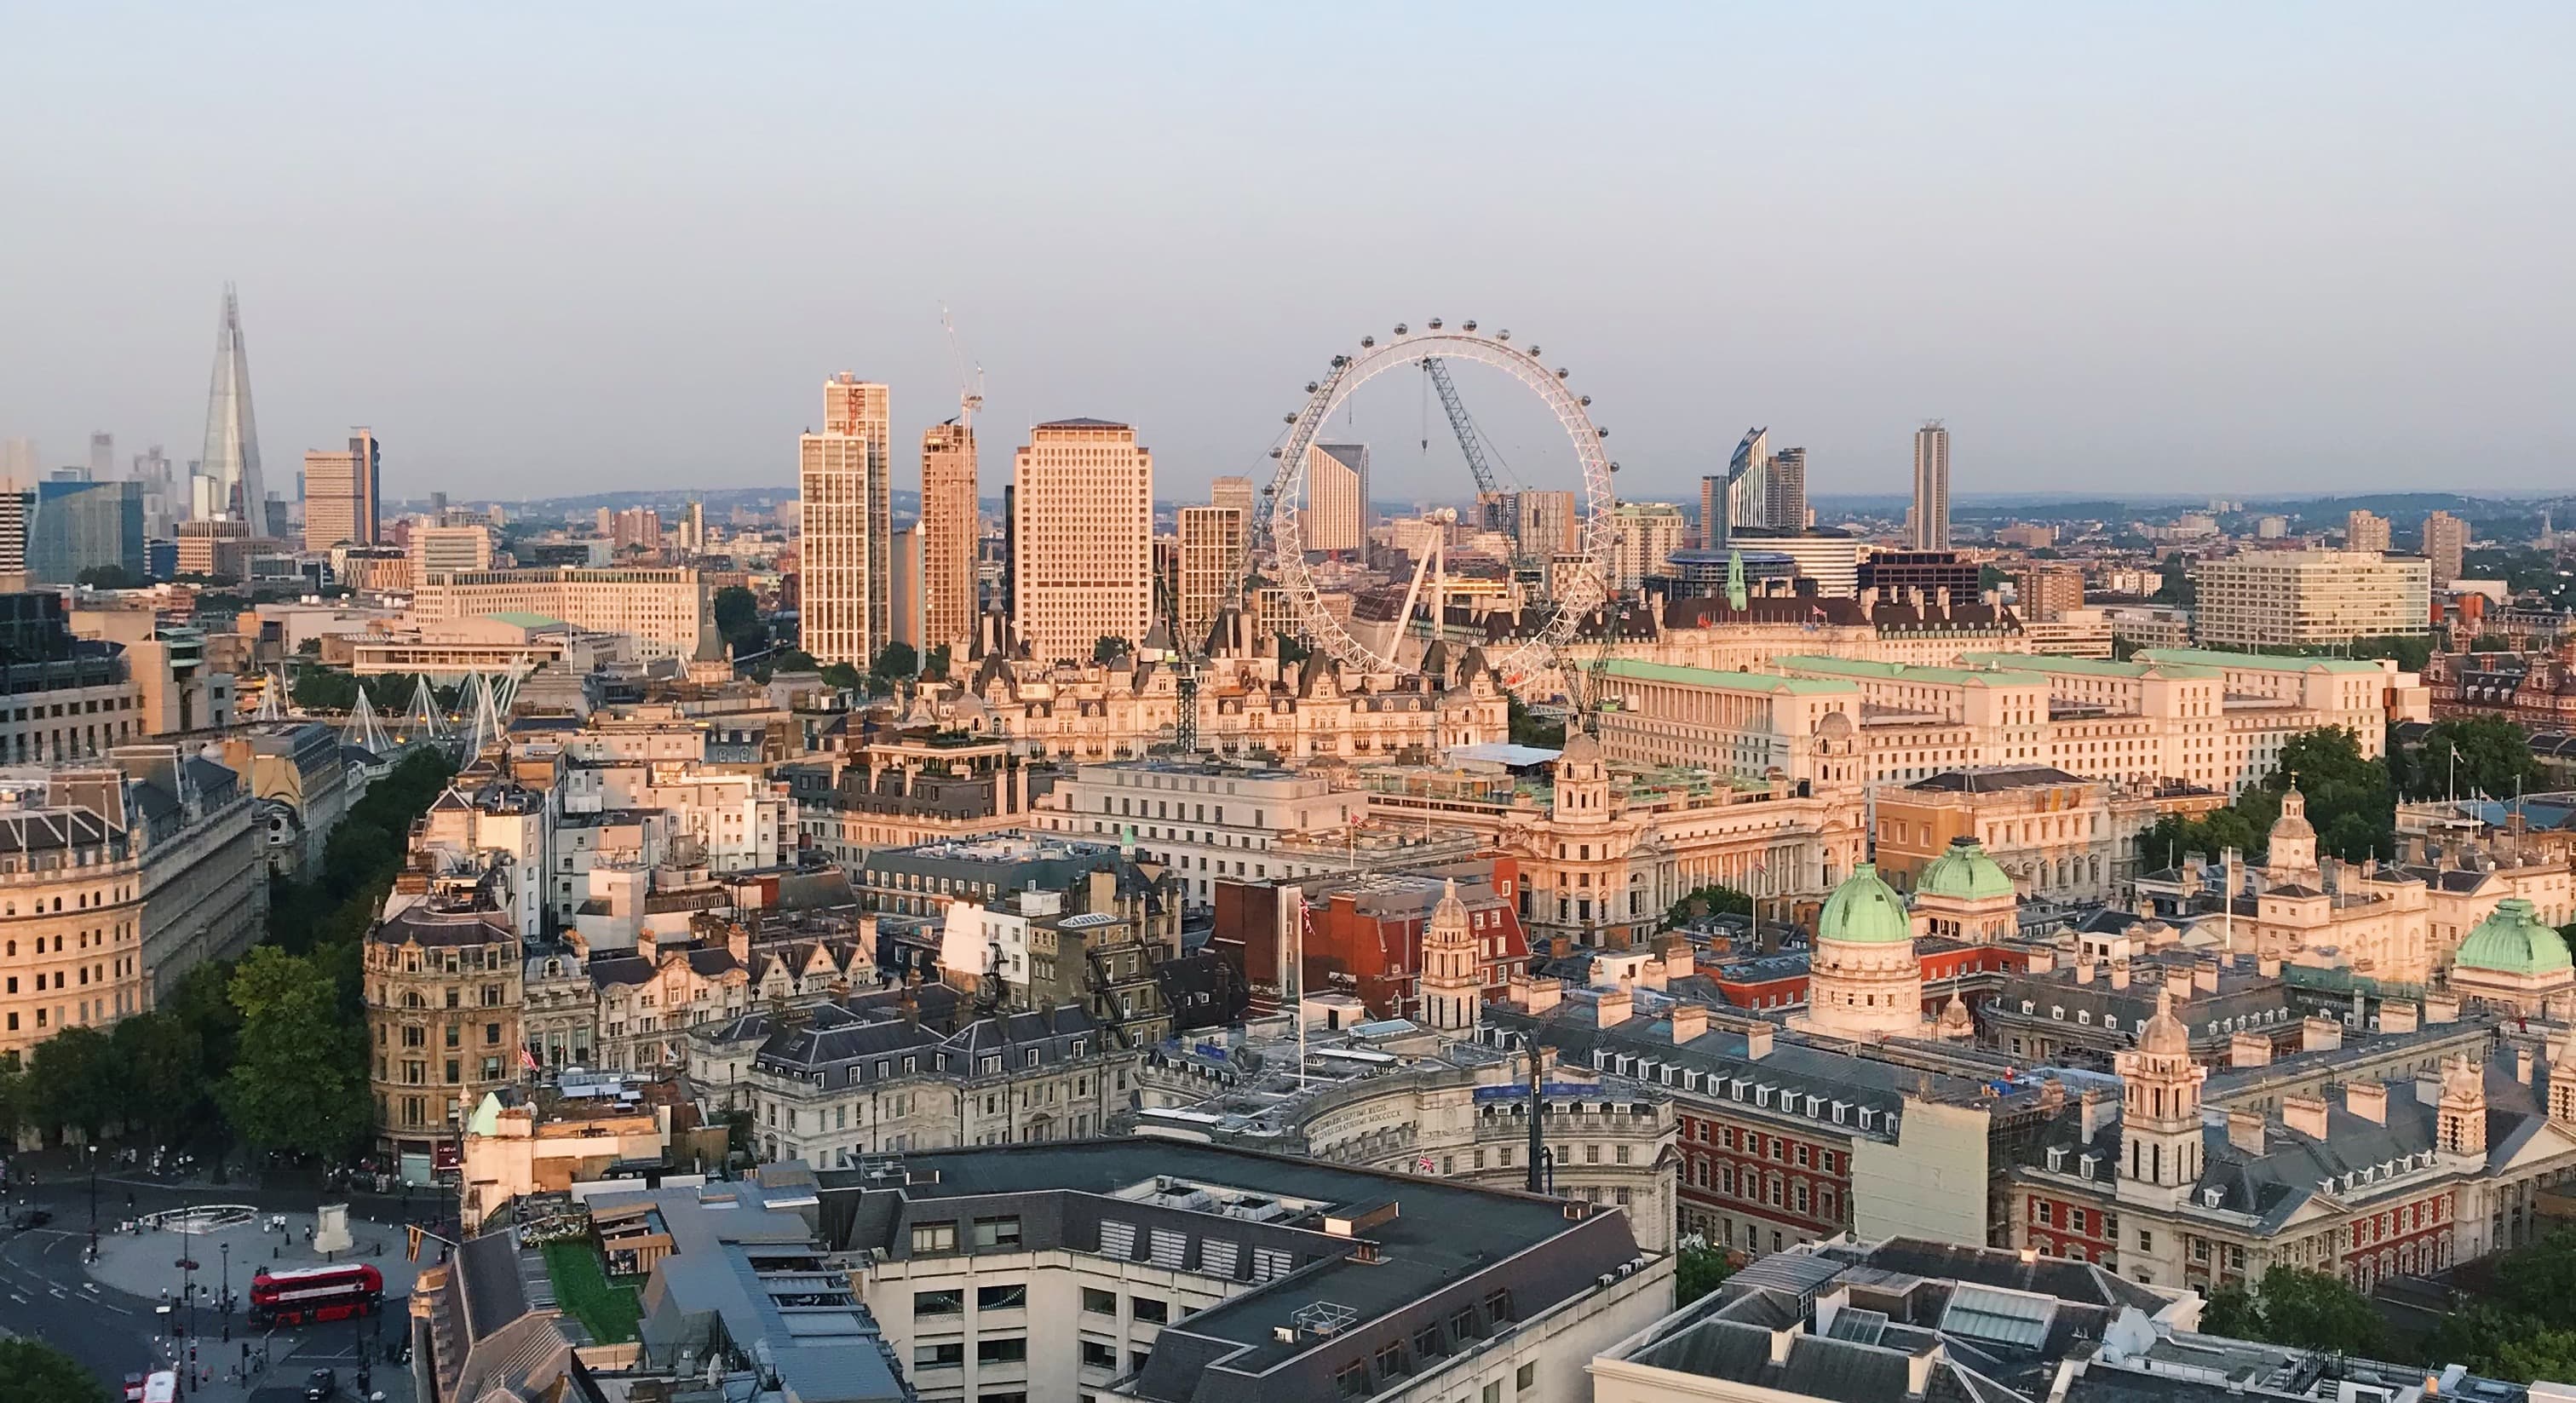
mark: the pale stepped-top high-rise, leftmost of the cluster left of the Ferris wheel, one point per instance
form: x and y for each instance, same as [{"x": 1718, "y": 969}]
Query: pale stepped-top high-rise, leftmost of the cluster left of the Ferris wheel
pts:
[{"x": 849, "y": 526}]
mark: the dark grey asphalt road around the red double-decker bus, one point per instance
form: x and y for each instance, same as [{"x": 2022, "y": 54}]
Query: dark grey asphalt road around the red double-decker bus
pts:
[{"x": 48, "y": 1294}]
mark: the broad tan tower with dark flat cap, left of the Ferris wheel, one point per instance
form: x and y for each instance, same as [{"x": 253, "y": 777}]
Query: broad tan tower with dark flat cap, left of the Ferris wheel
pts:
[{"x": 1083, "y": 539}]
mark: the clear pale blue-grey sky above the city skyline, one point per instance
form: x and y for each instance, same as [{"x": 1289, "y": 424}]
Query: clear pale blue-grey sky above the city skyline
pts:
[{"x": 581, "y": 248}]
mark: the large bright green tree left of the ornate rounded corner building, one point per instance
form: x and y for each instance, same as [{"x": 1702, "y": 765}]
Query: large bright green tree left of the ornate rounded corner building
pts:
[{"x": 300, "y": 1077}]
